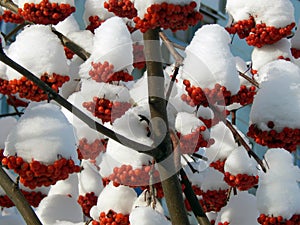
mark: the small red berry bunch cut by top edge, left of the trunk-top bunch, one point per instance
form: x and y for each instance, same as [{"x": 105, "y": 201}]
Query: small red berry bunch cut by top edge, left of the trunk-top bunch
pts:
[{"x": 121, "y": 8}]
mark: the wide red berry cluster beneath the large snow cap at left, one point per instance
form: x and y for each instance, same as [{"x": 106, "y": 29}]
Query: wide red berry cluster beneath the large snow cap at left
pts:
[{"x": 35, "y": 174}]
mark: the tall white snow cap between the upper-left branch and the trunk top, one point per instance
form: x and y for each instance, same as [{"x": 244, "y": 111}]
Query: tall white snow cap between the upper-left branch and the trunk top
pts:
[{"x": 111, "y": 42}]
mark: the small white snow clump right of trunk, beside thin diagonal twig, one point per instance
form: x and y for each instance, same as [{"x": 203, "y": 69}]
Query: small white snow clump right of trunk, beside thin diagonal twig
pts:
[{"x": 224, "y": 143}]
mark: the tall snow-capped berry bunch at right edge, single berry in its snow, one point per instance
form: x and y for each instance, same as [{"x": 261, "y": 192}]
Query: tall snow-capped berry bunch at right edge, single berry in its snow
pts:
[{"x": 279, "y": 89}]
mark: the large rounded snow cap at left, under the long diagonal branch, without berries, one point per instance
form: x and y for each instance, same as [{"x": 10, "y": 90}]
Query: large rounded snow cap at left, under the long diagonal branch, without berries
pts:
[{"x": 43, "y": 133}]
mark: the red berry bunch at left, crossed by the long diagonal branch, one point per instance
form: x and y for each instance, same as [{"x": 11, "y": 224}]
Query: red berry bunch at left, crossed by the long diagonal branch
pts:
[{"x": 29, "y": 90}]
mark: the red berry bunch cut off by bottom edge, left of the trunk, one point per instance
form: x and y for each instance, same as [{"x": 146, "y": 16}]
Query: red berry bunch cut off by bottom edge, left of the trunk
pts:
[{"x": 112, "y": 218}]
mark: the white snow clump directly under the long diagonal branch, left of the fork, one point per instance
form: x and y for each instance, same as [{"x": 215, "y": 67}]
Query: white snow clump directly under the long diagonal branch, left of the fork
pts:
[{"x": 117, "y": 155}]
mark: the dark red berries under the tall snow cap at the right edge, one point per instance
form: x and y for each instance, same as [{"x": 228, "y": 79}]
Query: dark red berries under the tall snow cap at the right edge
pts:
[{"x": 288, "y": 138}]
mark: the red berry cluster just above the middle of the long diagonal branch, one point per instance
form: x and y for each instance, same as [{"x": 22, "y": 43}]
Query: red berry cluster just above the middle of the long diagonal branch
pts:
[{"x": 106, "y": 110}]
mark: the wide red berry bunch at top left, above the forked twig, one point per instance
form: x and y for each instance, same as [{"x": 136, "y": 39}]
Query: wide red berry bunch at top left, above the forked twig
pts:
[{"x": 46, "y": 12}]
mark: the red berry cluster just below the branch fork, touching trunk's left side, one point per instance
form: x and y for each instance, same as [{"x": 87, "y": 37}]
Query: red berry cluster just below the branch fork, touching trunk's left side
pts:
[{"x": 126, "y": 175}]
